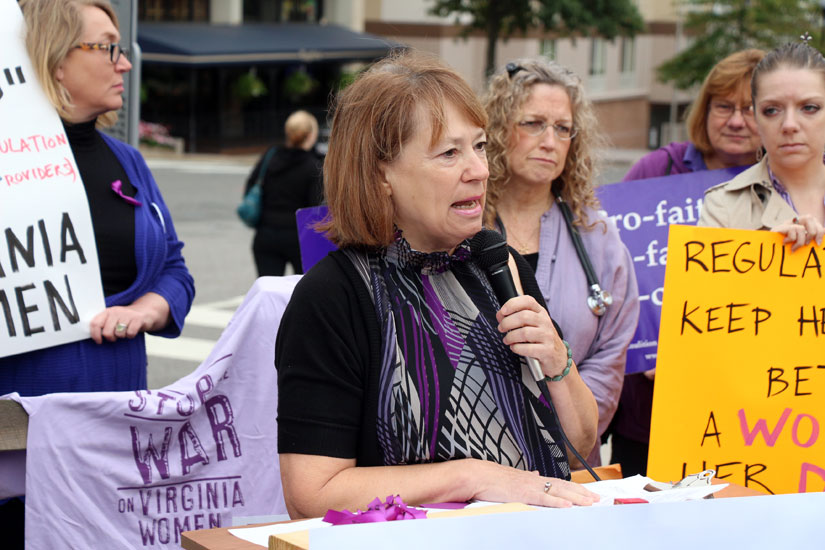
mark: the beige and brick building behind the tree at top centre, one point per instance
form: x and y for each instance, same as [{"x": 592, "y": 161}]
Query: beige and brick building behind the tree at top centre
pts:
[{"x": 635, "y": 110}]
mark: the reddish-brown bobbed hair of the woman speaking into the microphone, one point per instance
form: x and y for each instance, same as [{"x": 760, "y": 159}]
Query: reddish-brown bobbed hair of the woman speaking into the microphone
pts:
[{"x": 373, "y": 118}]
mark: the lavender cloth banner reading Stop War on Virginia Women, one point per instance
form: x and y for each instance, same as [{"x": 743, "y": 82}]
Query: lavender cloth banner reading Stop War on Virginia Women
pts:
[{"x": 136, "y": 469}]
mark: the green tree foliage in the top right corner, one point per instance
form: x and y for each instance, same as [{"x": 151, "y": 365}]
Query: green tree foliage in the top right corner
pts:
[{"x": 717, "y": 29}]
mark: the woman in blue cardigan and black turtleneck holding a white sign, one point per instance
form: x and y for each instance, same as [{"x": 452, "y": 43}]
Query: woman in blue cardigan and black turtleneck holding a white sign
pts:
[{"x": 73, "y": 46}]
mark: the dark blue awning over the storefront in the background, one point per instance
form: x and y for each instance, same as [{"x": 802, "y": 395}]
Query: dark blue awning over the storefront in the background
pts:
[{"x": 204, "y": 44}]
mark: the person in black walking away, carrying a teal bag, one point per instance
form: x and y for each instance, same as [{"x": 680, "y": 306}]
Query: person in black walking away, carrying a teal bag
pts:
[{"x": 292, "y": 180}]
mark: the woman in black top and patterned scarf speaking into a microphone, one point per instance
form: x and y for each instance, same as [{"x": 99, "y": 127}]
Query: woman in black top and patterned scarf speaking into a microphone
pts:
[{"x": 413, "y": 378}]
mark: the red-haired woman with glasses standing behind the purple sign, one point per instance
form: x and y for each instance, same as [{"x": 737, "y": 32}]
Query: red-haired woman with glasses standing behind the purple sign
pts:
[{"x": 722, "y": 134}]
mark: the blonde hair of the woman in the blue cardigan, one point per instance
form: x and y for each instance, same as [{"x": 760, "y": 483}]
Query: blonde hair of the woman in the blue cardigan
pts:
[{"x": 53, "y": 28}]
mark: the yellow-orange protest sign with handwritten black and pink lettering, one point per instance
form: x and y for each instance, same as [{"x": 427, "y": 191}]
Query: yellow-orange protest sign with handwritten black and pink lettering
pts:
[{"x": 740, "y": 376}]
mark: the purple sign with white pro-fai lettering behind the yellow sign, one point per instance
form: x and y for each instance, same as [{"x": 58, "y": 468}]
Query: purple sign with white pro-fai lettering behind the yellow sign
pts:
[{"x": 643, "y": 211}]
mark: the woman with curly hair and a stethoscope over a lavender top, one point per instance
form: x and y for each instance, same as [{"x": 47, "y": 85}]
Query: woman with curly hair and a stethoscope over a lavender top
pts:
[{"x": 542, "y": 138}]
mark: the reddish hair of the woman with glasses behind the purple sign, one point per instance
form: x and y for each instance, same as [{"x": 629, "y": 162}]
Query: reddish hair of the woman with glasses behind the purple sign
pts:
[{"x": 729, "y": 76}]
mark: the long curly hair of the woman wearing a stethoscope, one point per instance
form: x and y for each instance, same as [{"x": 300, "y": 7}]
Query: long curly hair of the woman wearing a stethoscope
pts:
[{"x": 504, "y": 99}]
